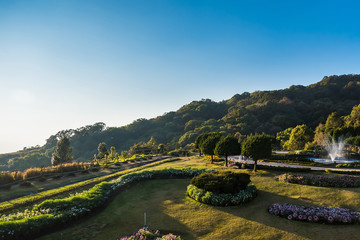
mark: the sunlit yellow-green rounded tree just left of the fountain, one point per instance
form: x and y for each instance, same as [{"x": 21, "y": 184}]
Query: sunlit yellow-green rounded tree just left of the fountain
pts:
[{"x": 299, "y": 136}]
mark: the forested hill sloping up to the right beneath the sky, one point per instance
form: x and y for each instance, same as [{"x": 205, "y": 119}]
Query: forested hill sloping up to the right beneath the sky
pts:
[{"x": 260, "y": 111}]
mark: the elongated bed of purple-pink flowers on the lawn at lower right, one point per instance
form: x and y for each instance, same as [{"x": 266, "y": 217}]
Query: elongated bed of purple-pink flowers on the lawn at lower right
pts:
[{"x": 315, "y": 214}]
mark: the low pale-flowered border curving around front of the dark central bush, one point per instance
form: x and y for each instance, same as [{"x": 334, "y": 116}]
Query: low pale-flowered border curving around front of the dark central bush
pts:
[{"x": 222, "y": 199}]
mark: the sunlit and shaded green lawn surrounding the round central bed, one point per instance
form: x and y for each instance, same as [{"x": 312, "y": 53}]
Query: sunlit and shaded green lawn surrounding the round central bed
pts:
[{"x": 170, "y": 210}]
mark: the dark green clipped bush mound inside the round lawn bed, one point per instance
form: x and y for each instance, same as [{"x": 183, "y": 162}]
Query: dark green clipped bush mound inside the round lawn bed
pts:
[{"x": 221, "y": 182}]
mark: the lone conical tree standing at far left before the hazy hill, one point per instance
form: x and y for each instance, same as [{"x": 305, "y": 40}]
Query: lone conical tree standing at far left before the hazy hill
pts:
[{"x": 62, "y": 152}]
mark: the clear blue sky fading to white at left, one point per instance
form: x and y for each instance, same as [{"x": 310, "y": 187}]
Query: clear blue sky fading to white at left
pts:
[{"x": 69, "y": 63}]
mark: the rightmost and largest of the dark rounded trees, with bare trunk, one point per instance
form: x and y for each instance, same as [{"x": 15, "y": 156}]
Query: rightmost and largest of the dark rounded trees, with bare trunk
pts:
[{"x": 257, "y": 147}]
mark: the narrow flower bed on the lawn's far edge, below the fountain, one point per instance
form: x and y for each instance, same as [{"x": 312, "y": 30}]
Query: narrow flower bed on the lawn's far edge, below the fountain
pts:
[{"x": 321, "y": 180}]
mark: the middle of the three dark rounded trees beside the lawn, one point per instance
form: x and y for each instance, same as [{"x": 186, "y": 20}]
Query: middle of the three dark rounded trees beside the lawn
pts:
[{"x": 228, "y": 146}]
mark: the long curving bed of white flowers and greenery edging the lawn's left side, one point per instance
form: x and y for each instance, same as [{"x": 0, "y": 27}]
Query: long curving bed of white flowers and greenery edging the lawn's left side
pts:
[{"x": 53, "y": 212}]
